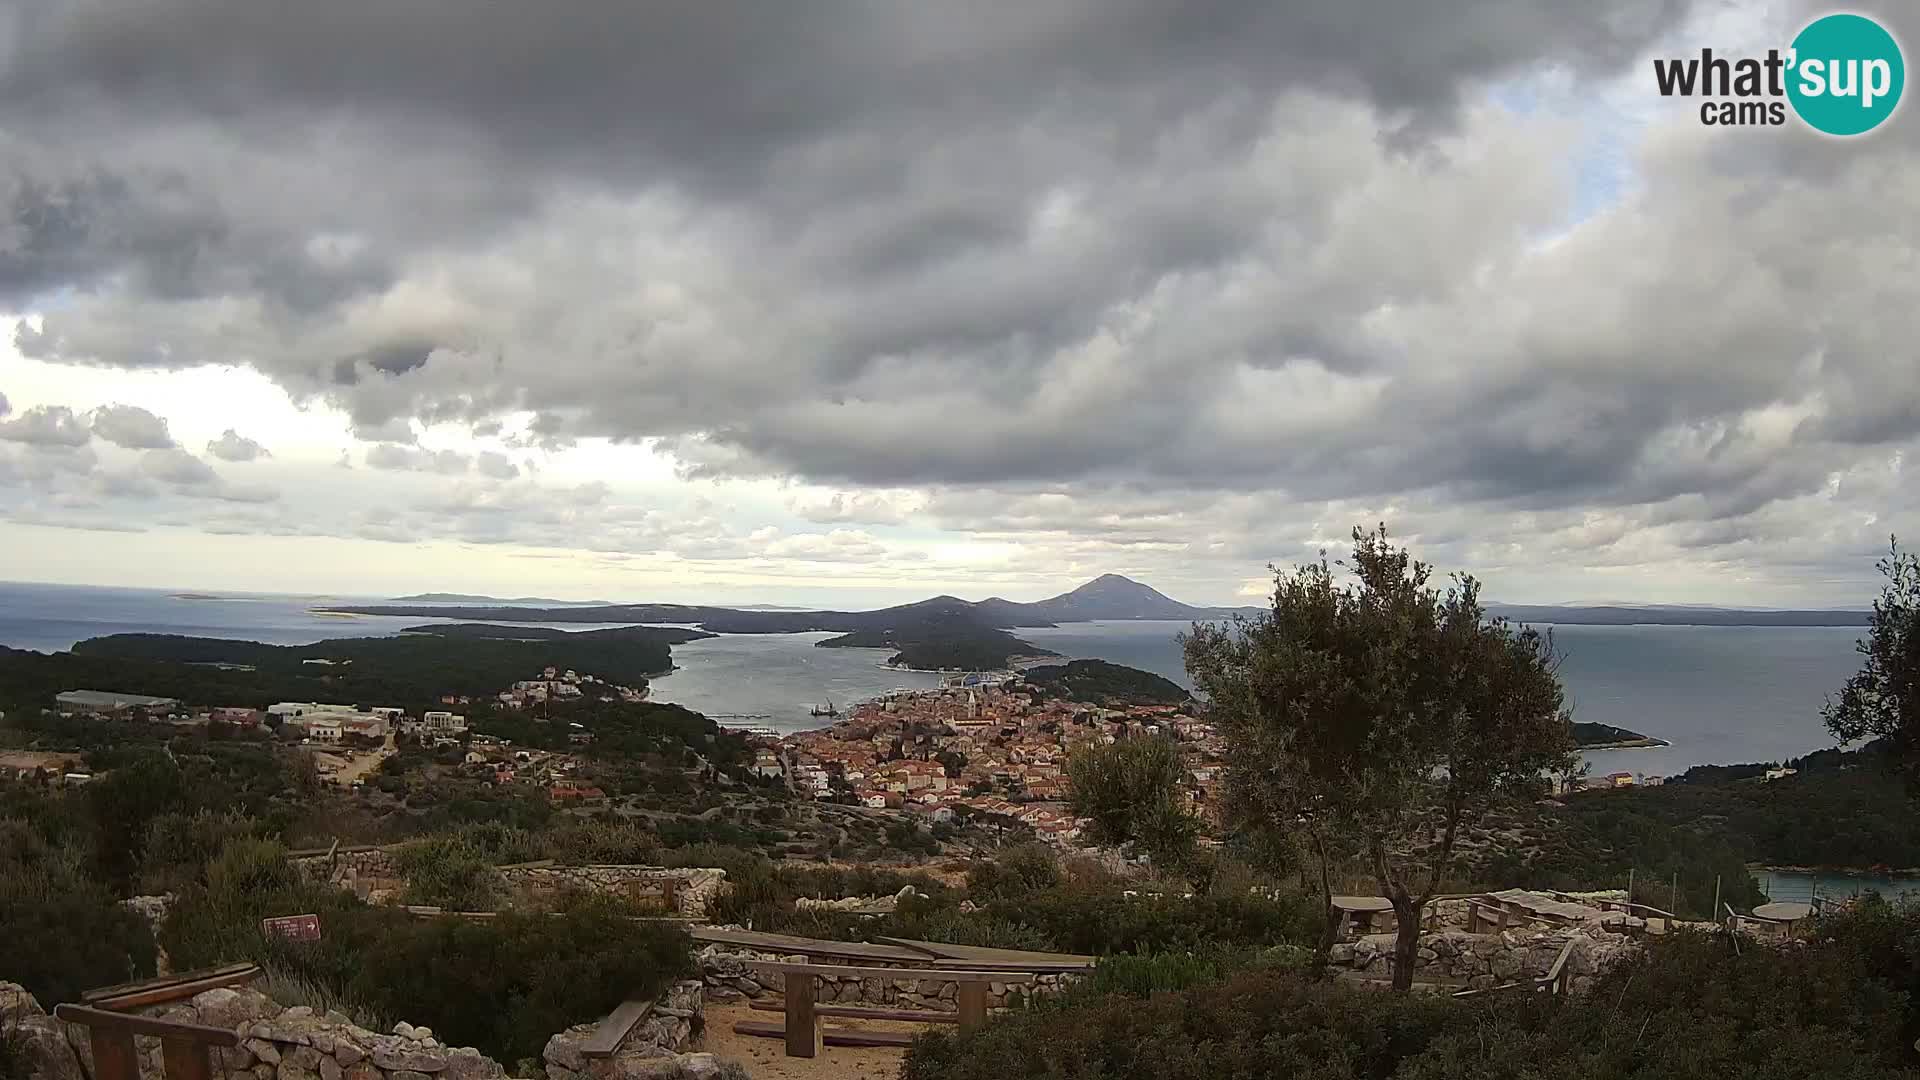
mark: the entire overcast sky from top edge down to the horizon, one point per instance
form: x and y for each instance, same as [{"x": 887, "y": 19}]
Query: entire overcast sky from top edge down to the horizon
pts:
[{"x": 852, "y": 303}]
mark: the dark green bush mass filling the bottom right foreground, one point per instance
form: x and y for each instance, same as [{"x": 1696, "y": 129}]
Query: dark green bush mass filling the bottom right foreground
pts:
[{"x": 1689, "y": 1008}]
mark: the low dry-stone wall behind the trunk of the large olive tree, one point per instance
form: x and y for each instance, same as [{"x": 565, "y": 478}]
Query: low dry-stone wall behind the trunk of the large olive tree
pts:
[{"x": 1487, "y": 960}]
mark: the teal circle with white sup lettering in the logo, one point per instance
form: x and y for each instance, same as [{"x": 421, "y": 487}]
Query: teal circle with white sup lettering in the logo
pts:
[{"x": 1846, "y": 74}]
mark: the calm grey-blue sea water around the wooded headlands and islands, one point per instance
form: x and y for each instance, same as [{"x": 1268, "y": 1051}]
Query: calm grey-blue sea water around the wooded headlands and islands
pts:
[{"x": 1721, "y": 695}]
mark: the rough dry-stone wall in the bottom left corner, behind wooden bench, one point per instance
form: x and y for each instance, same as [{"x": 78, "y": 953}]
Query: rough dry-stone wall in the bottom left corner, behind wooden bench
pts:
[{"x": 276, "y": 1044}]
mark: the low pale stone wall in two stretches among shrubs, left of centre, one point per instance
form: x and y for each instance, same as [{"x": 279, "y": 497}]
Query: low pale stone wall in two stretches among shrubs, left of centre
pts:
[{"x": 375, "y": 875}]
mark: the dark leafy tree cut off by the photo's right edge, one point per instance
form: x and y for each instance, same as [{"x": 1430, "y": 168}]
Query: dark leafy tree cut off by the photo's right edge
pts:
[{"x": 1883, "y": 700}]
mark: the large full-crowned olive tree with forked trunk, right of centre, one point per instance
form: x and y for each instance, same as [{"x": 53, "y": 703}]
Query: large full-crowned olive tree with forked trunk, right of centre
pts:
[{"x": 1374, "y": 714}]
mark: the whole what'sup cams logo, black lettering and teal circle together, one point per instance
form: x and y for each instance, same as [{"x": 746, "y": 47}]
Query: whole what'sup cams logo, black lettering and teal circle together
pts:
[{"x": 1842, "y": 76}]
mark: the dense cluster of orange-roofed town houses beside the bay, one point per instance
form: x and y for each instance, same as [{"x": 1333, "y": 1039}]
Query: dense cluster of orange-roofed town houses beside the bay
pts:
[{"x": 980, "y": 750}]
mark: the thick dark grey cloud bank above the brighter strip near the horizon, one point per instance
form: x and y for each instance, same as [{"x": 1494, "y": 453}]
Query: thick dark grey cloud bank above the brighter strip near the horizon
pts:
[{"x": 1118, "y": 245}]
